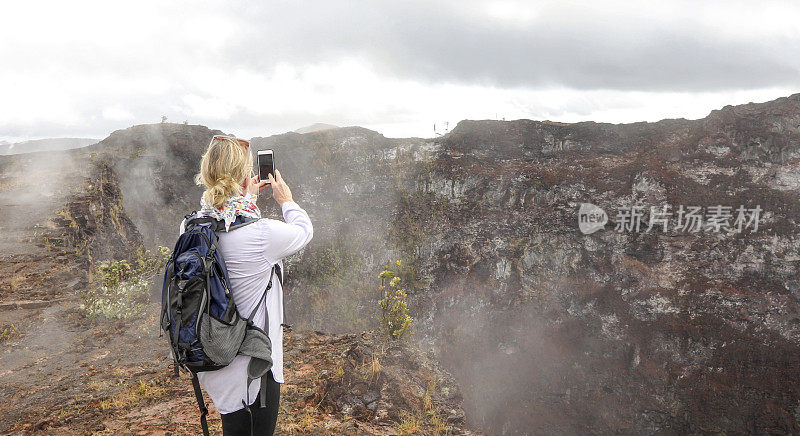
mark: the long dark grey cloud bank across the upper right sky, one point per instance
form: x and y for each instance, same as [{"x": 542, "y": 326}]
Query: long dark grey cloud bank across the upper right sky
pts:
[{"x": 566, "y": 45}]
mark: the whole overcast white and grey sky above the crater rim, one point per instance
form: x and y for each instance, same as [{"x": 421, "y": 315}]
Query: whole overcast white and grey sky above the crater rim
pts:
[{"x": 85, "y": 68}]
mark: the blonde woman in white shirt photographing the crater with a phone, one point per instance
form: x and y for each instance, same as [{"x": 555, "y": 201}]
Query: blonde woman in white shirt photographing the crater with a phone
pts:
[{"x": 249, "y": 252}]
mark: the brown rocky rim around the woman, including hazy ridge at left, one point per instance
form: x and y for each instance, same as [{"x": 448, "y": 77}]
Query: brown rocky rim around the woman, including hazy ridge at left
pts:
[{"x": 65, "y": 374}]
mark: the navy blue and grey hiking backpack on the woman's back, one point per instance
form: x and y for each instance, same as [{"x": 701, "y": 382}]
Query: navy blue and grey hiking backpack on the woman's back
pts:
[{"x": 199, "y": 316}]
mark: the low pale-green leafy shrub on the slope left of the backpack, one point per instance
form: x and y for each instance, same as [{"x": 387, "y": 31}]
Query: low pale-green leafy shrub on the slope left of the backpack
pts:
[{"x": 122, "y": 290}]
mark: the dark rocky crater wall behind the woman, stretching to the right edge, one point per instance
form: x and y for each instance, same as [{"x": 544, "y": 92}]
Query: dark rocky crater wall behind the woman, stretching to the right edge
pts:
[{"x": 546, "y": 329}]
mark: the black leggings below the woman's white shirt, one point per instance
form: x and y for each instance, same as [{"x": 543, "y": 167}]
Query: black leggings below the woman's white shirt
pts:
[{"x": 264, "y": 420}]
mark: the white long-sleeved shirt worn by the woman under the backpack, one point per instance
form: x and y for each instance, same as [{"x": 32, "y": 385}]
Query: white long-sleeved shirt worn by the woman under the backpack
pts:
[{"x": 249, "y": 253}]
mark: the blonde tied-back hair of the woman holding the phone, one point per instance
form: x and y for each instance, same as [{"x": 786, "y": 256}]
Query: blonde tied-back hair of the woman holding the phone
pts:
[{"x": 224, "y": 166}]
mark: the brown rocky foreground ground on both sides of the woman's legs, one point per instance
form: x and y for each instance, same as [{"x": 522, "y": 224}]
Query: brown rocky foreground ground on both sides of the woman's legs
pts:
[{"x": 64, "y": 374}]
